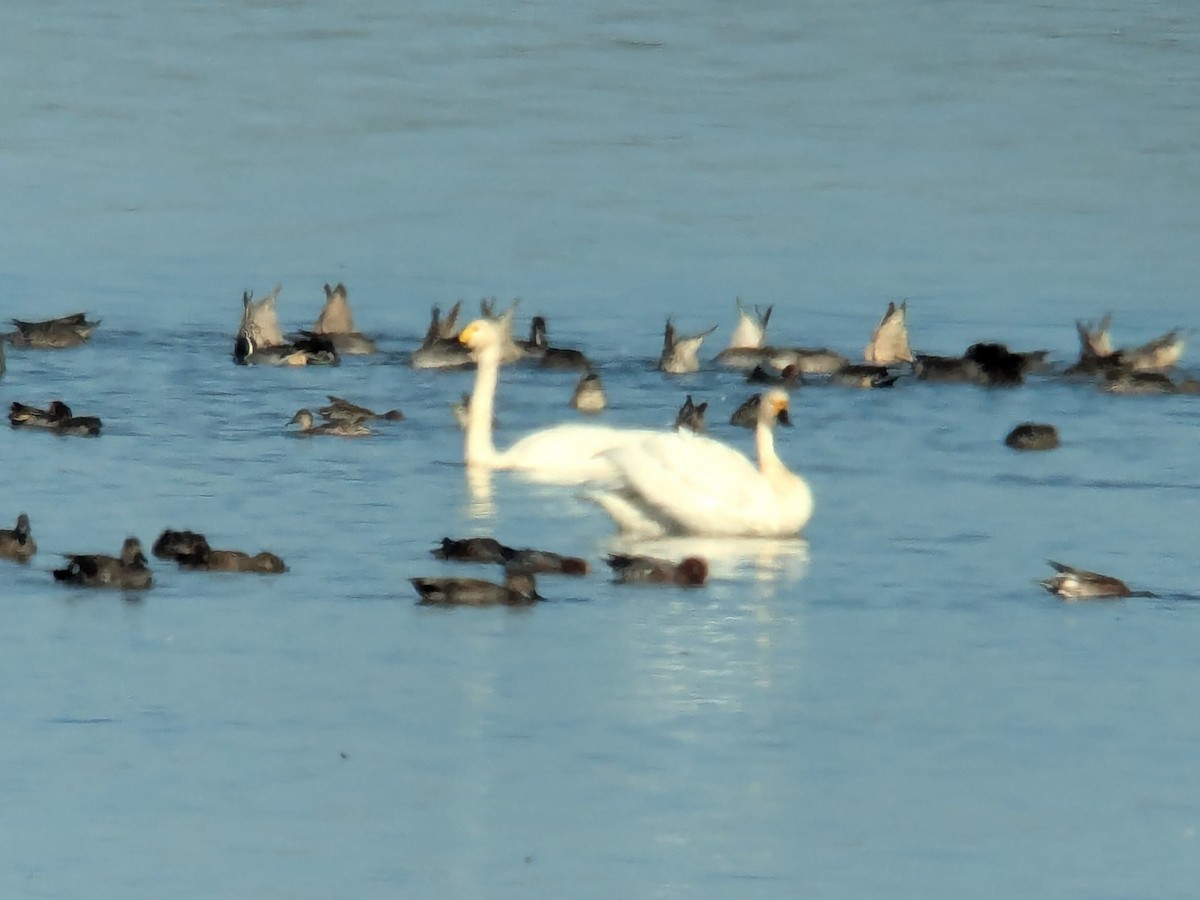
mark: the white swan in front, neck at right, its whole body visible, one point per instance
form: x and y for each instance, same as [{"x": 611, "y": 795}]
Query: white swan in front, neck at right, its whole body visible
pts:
[{"x": 687, "y": 484}]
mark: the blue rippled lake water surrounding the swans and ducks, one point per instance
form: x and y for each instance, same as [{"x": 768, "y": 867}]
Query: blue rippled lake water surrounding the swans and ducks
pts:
[{"x": 890, "y": 707}]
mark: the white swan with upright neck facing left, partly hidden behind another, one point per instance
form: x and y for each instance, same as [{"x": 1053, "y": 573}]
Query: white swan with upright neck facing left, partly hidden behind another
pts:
[{"x": 562, "y": 454}]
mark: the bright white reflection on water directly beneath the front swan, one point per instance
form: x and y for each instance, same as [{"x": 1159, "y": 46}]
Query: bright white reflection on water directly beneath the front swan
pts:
[{"x": 760, "y": 559}]
